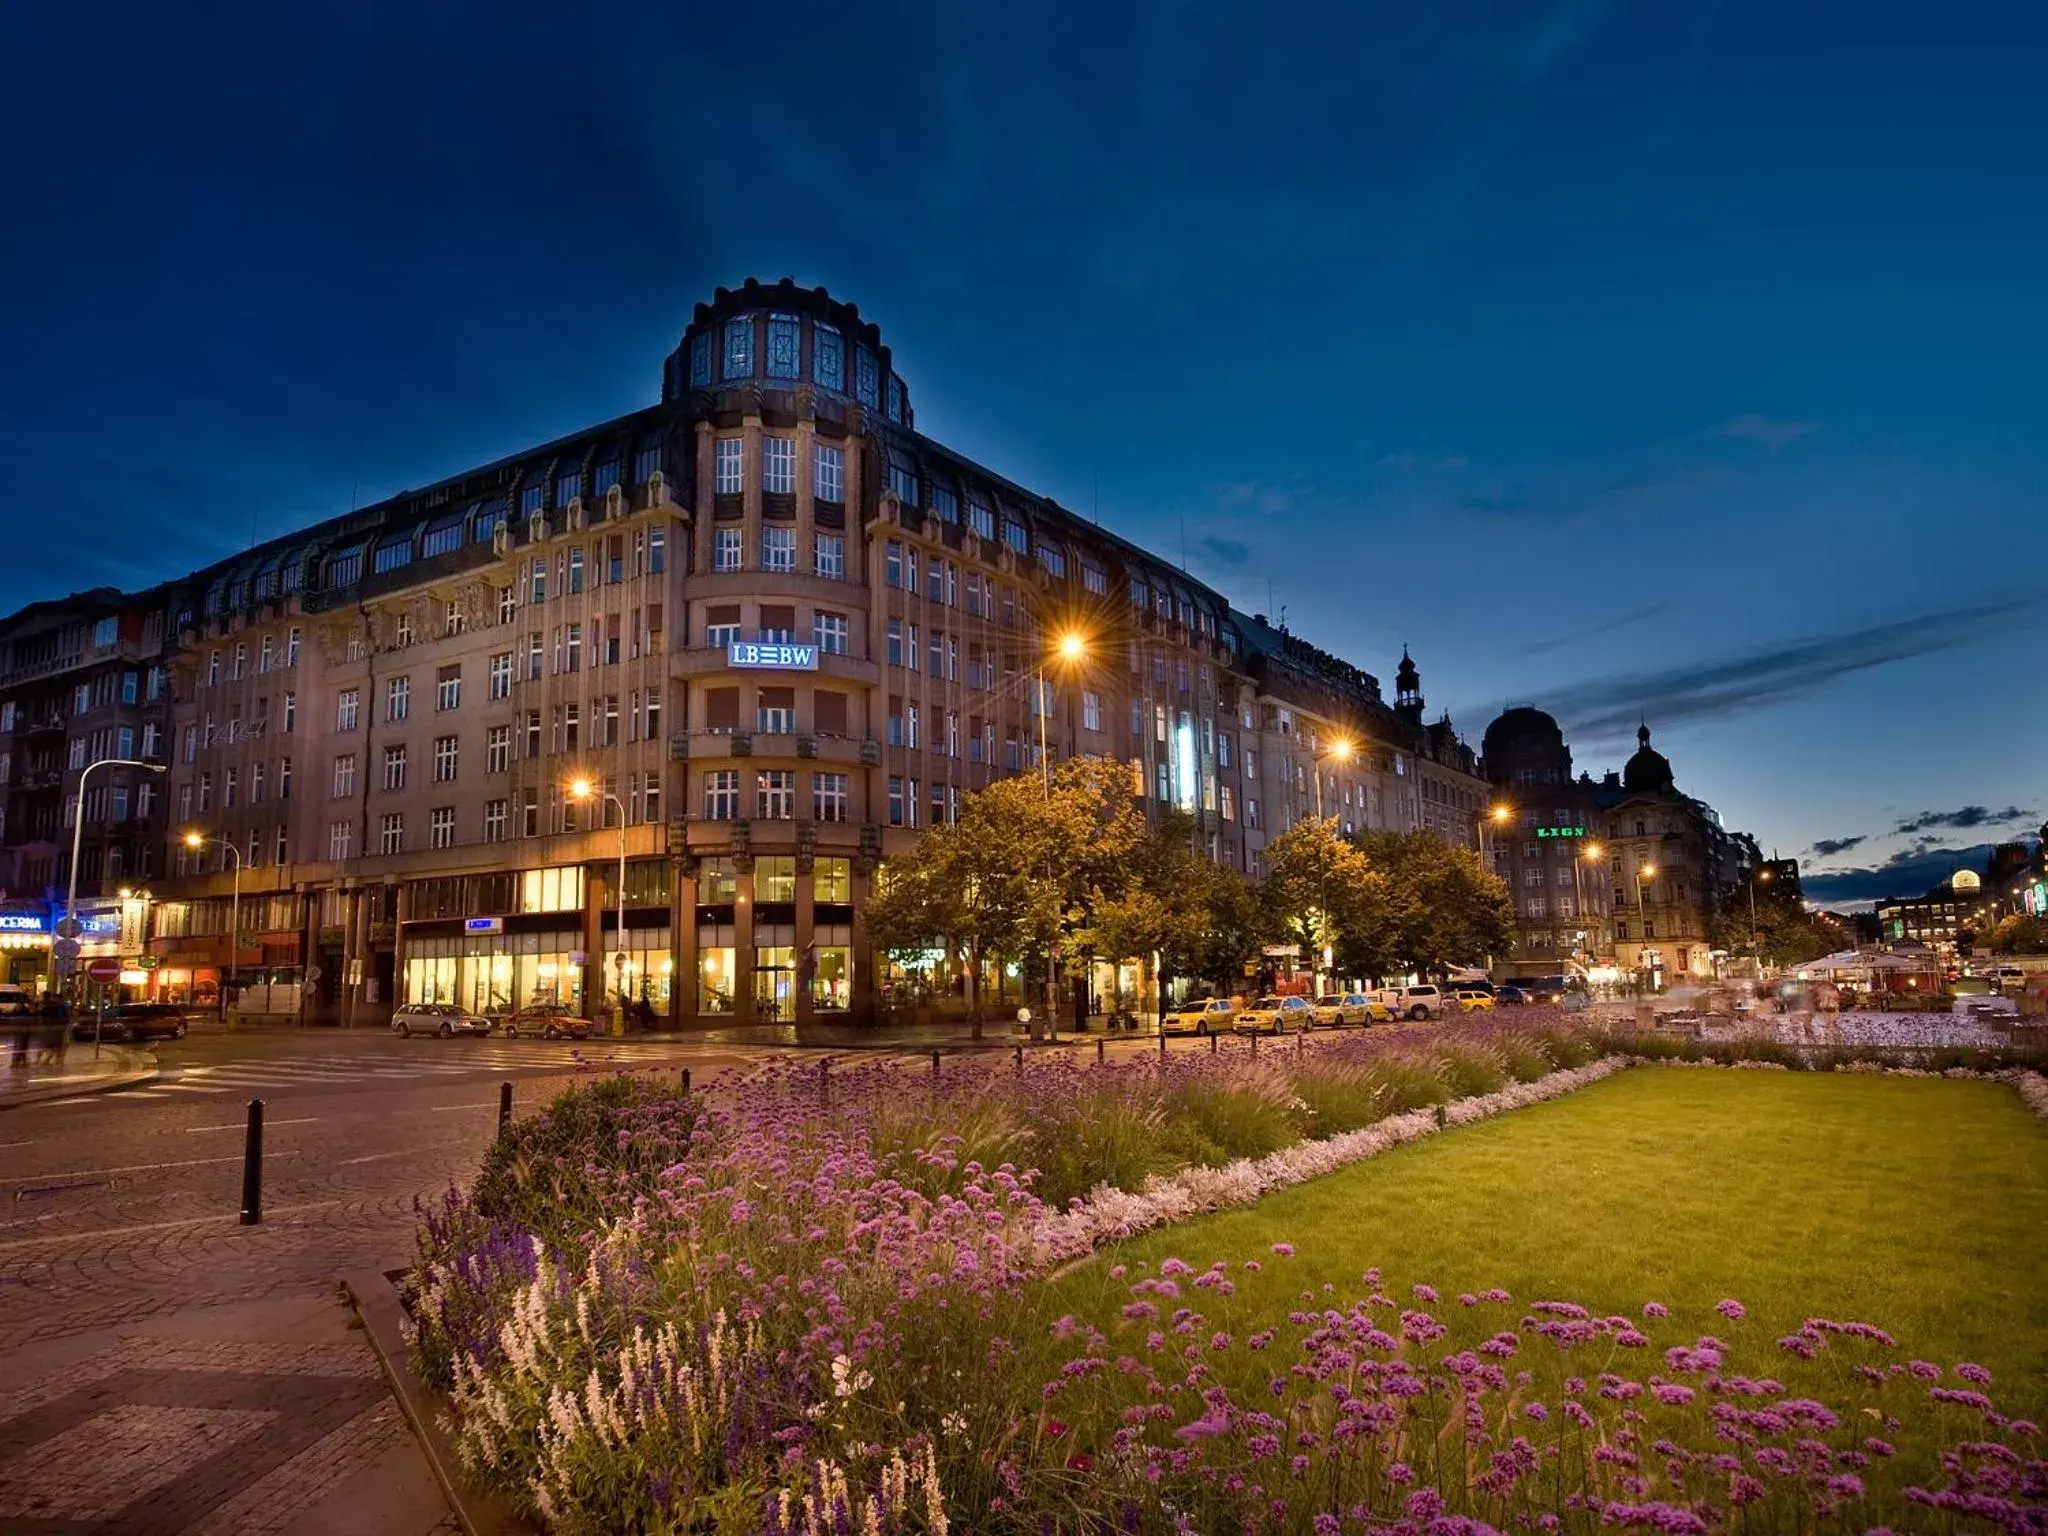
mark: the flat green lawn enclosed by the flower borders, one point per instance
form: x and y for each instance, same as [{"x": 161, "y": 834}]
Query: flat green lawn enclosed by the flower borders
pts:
[{"x": 1918, "y": 1205}]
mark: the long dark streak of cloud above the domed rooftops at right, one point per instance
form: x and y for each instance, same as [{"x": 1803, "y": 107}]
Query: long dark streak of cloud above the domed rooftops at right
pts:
[{"x": 1609, "y": 710}]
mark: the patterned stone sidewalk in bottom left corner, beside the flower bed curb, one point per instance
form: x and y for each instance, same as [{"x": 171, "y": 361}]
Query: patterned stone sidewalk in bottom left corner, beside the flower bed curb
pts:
[{"x": 267, "y": 1418}]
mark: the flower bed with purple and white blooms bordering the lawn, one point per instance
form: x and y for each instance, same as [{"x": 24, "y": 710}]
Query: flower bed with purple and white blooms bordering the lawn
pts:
[{"x": 814, "y": 1304}]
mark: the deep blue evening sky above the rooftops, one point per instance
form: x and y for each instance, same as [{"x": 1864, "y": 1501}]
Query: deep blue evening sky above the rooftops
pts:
[{"x": 1674, "y": 361}]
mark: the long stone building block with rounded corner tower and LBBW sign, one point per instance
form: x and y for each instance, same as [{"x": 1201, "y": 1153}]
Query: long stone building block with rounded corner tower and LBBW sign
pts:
[{"x": 644, "y": 708}]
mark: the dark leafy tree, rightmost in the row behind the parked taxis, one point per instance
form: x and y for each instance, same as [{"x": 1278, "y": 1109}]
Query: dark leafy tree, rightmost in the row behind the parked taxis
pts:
[{"x": 1443, "y": 906}]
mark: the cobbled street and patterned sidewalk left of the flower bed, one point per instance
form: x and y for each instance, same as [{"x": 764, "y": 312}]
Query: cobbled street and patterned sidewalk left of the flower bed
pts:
[{"x": 167, "y": 1369}]
